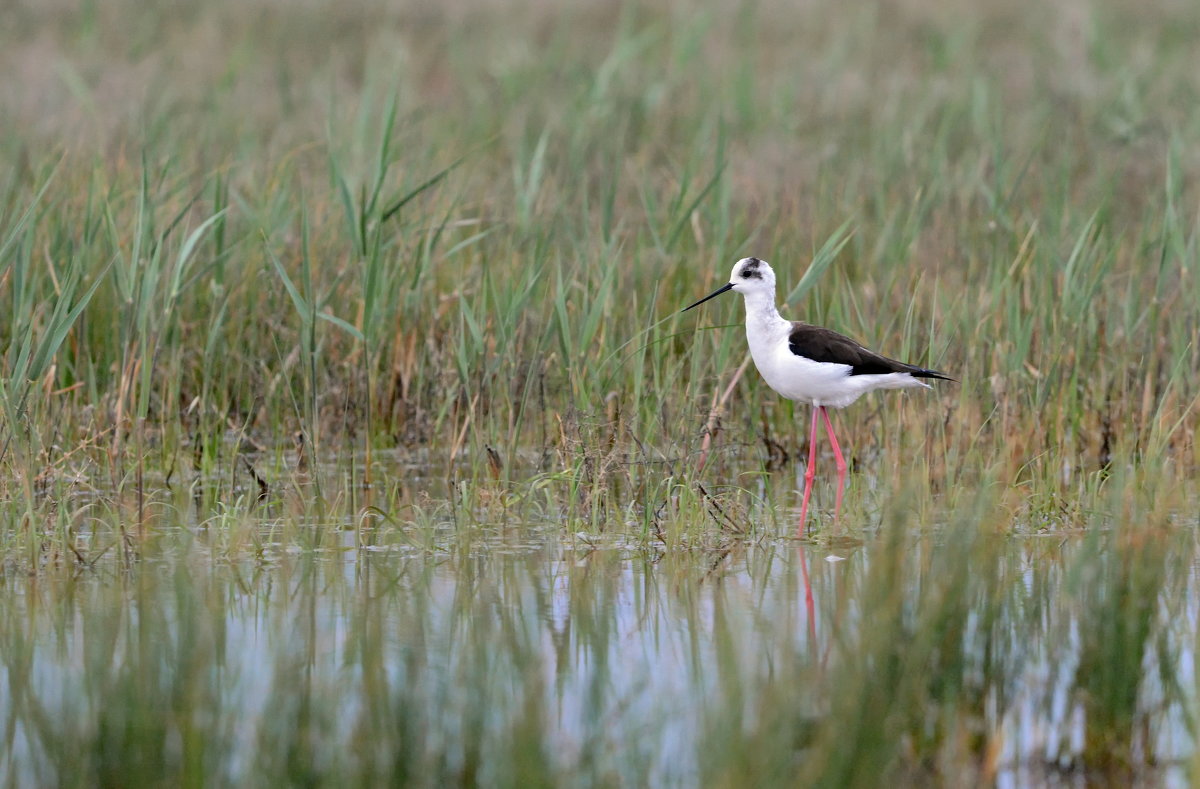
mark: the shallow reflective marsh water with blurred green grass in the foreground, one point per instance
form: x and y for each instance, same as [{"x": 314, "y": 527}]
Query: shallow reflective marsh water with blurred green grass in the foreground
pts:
[{"x": 538, "y": 660}]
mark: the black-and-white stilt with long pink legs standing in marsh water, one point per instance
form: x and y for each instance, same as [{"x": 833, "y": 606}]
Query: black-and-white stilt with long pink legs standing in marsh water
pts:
[{"x": 812, "y": 365}]
